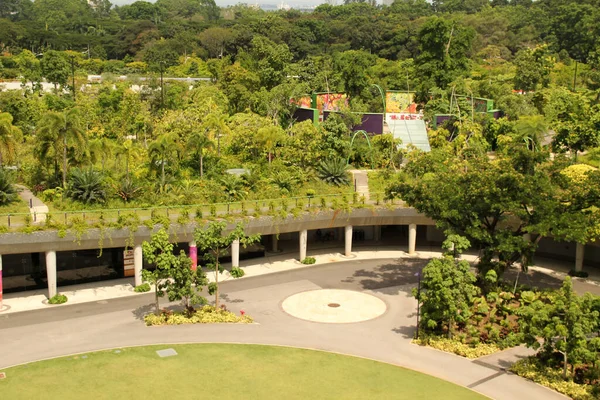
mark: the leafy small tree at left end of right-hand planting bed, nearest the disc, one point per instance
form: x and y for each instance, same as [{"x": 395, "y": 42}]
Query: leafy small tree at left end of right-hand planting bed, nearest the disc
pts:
[{"x": 447, "y": 292}]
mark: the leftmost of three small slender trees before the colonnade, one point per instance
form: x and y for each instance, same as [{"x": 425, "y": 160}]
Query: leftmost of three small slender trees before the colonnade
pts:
[{"x": 159, "y": 251}]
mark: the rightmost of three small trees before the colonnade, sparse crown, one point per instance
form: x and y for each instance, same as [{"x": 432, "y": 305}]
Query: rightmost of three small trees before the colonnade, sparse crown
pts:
[{"x": 213, "y": 243}]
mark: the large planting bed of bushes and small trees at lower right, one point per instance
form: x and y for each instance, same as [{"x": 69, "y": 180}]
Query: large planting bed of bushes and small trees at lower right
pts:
[{"x": 475, "y": 316}]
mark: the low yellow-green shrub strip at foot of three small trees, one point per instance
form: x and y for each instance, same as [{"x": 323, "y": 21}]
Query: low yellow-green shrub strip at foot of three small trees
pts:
[{"x": 205, "y": 315}]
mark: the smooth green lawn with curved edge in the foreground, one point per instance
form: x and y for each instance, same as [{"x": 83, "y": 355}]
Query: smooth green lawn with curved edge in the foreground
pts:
[{"x": 219, "y": 371}]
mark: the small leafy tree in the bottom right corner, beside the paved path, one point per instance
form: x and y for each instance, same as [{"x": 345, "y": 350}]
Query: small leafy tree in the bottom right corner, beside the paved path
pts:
[{"x": 565, "y": 322}]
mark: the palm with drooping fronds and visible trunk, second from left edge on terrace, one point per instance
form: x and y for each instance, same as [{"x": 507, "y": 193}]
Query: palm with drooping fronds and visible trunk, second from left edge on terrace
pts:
[{"x": 61, "y": 130}]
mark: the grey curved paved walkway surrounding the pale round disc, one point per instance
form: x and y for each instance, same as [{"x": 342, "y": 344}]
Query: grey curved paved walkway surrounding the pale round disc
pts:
[{"x": 109, "y": 323}]
